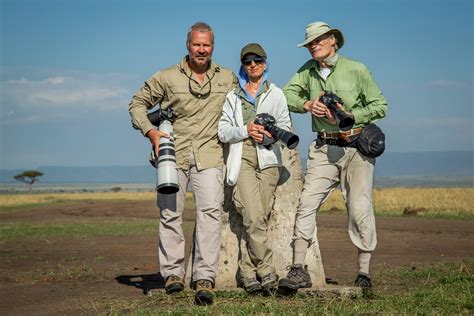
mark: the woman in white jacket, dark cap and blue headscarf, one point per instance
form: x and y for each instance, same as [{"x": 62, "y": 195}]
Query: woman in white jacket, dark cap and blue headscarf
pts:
[{"x": 252, "y": 162}]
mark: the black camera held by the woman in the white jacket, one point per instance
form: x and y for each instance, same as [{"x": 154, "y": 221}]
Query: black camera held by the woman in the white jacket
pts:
[{"x": 268, "y": 122}]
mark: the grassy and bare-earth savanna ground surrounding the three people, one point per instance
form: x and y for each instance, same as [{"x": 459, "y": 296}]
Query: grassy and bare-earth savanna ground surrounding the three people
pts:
[{"x": 97, "y": 253}]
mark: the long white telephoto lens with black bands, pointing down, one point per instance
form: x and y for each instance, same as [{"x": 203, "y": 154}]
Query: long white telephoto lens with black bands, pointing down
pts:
[{"x": 167, "y": 173}]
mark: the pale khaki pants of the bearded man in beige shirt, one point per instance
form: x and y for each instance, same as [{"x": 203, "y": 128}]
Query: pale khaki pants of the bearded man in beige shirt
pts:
[{"x": 208, "y": 188}]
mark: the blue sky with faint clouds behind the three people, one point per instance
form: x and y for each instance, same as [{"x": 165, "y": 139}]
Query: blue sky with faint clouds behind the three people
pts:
[{"x": 69, "y": 68}]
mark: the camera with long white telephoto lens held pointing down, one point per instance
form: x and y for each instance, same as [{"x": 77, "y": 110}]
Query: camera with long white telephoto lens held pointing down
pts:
[{"x": 167, "y": 173}]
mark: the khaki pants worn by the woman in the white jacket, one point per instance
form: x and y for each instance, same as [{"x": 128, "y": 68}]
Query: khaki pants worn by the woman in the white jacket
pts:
[{"x": 253, "y": 198}]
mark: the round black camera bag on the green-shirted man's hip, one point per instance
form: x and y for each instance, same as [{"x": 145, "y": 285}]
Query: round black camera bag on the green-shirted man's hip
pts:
[{"x": 371, "y": 141}]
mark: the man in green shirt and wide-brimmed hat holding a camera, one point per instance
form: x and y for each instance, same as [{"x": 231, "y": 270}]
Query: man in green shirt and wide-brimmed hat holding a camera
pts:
[{"x": 333, "y": 159}]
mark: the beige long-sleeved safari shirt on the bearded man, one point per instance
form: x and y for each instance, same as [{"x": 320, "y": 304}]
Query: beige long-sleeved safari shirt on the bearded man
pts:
[{"x": 198, "y": 109}]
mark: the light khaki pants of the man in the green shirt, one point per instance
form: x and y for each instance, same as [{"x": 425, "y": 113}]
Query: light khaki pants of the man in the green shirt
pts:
[{"x": 328, "y": 166}]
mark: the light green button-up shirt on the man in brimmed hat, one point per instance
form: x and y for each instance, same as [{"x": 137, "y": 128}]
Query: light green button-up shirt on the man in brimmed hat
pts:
[{"x": 349, "y": 79}]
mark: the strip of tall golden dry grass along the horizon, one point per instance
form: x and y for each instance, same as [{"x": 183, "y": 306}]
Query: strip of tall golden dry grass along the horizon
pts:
[{"x": 457, "y": 202}]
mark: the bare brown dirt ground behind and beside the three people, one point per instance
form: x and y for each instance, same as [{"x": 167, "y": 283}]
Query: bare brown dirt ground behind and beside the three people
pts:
[{"x": 58, "y": 275}]
